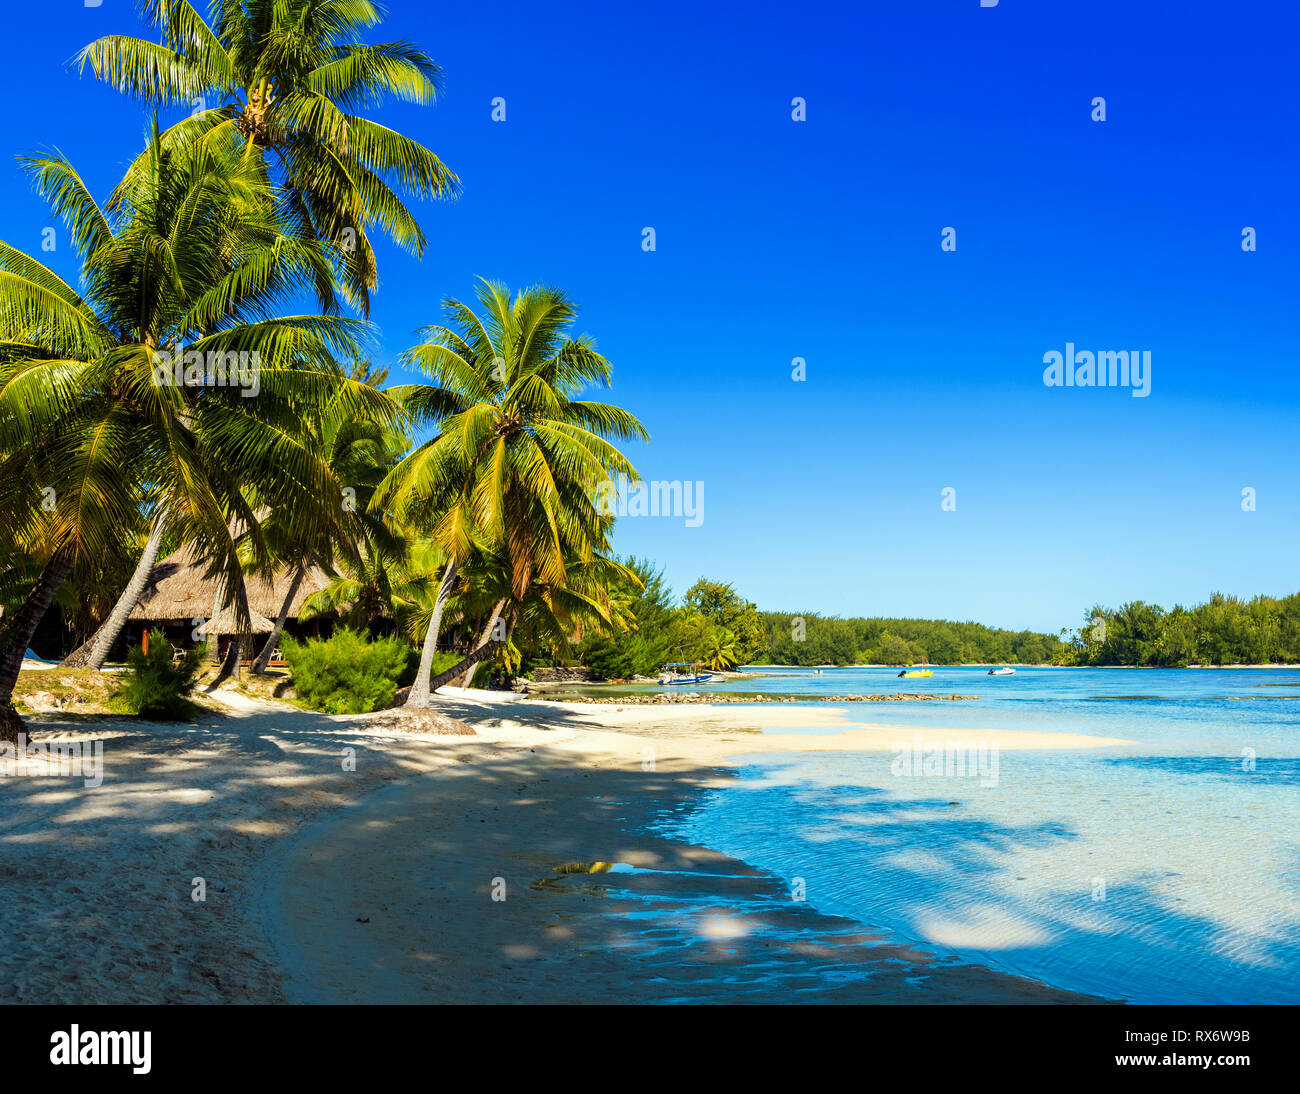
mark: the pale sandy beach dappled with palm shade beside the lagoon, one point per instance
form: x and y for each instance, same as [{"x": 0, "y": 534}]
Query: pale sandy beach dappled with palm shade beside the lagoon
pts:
[{"x": 376, "y": 884}]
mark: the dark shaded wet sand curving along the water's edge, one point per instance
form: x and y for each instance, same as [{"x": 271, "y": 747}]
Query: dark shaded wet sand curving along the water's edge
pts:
[{"x": 635, "y": 914}]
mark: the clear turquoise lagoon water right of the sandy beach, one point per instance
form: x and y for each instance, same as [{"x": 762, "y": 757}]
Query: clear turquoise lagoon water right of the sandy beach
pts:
[{"x": 1164, "y": 871}]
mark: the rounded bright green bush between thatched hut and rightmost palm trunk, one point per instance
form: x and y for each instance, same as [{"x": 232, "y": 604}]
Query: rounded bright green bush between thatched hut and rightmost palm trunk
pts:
[{"x": 348, "y": 674}]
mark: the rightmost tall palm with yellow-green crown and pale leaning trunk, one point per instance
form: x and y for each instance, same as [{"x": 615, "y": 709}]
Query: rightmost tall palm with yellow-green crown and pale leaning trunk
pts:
[{"x": 517, "y": 462}]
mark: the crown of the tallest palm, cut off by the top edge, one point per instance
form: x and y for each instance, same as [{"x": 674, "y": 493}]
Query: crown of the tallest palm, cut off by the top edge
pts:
[{"x": 285, "y": 77}]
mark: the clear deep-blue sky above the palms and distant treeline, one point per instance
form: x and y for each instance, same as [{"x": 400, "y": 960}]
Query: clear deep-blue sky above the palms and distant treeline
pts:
[{"x": 822, "y": 241}]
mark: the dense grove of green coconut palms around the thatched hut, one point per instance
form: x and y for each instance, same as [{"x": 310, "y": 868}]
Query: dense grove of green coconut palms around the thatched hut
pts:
[{"x": 172, "y": 398}]
